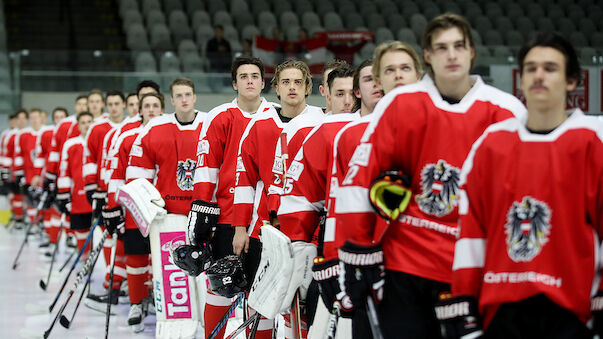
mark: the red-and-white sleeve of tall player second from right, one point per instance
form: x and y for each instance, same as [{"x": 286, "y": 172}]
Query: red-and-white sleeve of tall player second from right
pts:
[{"x": 383, "y": 146}]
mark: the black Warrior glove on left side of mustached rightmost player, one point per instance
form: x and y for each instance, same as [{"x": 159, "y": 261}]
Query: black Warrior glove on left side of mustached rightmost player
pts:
[{"x": 459, "y": 317}]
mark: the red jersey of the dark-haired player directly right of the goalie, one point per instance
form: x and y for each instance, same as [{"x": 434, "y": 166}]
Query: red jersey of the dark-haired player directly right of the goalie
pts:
[{"x": 217, "y": 155}]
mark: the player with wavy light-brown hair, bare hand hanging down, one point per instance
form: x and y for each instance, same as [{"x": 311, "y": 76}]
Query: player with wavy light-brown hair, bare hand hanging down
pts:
[{"x": 255, "y": 163}]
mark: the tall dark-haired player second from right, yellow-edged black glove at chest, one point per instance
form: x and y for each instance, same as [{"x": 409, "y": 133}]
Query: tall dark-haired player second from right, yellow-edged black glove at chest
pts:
[{"x": 435, "y": 121}]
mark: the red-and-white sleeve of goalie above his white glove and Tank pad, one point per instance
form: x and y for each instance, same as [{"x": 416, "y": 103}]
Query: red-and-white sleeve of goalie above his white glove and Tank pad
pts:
[{"x": 141, "y": 163}]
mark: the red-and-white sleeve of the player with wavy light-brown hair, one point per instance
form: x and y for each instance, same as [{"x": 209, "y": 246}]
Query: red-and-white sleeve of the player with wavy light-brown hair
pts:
[{"x": 246, "y": 178}]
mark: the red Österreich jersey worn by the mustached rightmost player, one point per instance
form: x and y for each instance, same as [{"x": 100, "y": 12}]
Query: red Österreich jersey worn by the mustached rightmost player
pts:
[{"x": 532, "y": 215}]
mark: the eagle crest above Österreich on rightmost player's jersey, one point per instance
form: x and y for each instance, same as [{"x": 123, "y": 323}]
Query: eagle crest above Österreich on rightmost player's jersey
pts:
[{"x": 527, "y": 227}]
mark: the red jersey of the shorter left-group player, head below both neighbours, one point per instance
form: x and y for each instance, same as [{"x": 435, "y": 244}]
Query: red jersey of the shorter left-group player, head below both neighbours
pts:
[{"x": 71, "y": 177}]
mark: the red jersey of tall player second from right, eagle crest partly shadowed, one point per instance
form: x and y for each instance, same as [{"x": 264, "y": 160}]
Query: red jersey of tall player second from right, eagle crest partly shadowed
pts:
[{"x": 415, "y": 130}]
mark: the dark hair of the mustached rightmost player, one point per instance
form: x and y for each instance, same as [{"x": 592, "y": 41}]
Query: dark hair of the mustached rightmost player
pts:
[{"x": 556, "y": 41}]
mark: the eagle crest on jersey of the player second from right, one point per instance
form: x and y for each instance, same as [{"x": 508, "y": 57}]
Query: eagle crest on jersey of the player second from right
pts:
[{"x": 440, "y": 183}]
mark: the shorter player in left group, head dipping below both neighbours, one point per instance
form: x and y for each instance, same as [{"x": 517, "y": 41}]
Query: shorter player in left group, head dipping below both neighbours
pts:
[{"x": 71, "y": 197}]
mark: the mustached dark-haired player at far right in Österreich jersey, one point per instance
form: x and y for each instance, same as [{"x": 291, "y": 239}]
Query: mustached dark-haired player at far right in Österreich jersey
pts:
[{"x": 527, "y": 233}]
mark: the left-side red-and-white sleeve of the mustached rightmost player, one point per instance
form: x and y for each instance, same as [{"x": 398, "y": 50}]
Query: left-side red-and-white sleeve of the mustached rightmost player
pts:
[{"x": 469, "y": 251}]
